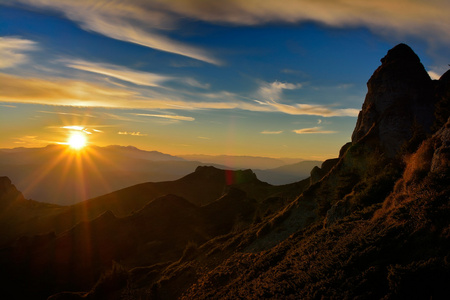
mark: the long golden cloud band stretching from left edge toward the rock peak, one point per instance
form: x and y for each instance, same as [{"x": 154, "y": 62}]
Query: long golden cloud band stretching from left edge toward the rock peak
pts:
[{"x": 70, "y": 92}]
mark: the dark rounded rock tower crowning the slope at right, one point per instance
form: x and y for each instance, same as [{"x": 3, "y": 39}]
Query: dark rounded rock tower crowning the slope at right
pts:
[{"x": 399, "y": 103}]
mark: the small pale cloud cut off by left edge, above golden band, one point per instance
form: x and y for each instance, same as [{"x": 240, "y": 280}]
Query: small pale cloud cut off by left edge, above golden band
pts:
[{"x": 12, "y": 51}]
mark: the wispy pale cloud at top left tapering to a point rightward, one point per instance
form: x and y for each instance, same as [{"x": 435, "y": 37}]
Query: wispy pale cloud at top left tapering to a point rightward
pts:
[{"x": 134, "y": 21}]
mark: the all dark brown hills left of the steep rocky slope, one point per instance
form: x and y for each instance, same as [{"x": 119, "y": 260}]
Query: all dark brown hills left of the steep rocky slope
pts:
[{"x": 141, "y": 225}]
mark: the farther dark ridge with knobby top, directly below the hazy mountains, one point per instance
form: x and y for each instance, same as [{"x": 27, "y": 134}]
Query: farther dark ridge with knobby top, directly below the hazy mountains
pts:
[{"x": 23, "y": 217}]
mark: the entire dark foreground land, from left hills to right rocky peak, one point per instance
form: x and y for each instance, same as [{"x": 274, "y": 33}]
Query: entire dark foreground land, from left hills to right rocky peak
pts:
[{"x": 370, "y": 224}]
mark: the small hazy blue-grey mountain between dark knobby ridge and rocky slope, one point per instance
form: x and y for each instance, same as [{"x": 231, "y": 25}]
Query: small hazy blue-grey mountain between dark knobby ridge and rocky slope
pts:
[{"x": 287, "y": 173}]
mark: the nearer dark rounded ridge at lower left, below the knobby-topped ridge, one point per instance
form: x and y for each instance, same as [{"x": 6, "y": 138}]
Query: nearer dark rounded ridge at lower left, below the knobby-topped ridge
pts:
[{"x": 157, "y": 233}]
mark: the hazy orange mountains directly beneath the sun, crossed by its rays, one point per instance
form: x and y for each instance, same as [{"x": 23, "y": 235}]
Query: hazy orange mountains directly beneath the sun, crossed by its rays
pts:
[{"x": 59, "y": 175}]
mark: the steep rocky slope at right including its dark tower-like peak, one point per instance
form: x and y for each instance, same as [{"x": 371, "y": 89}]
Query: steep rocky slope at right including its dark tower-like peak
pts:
[{"x": 374, "y": 226}]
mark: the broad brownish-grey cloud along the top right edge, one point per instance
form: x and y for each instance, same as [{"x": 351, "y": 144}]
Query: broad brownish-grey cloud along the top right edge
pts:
[{"x": 427, "y": 19}]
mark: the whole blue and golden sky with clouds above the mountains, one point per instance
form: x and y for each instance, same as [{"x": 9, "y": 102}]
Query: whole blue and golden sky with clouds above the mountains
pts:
[{"x": 237, "y": 77}]
